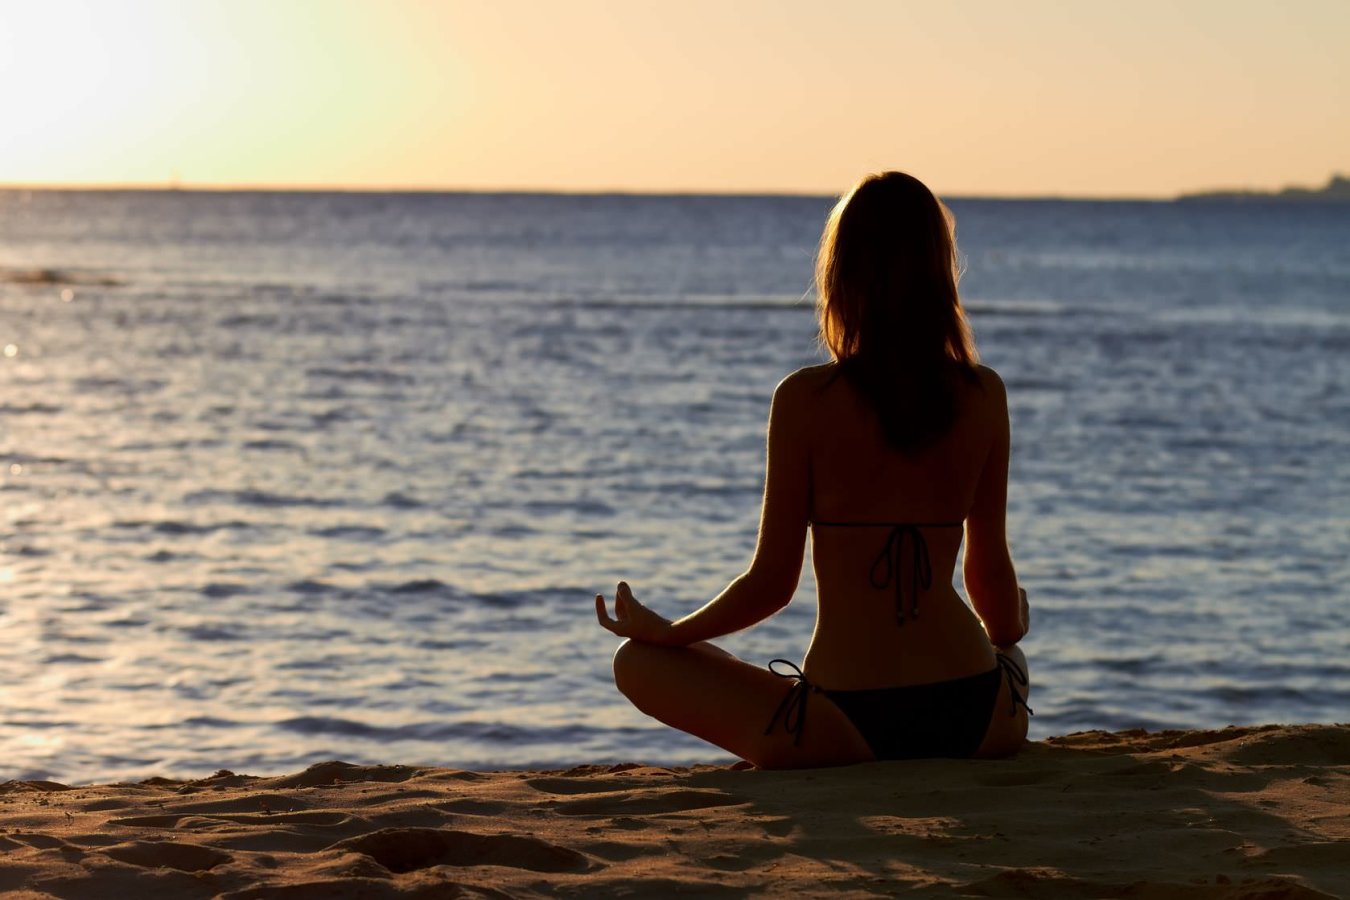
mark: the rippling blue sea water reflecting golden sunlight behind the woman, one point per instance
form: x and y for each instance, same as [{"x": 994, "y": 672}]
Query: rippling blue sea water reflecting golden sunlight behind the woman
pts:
[{"x": 298, "y": 477}]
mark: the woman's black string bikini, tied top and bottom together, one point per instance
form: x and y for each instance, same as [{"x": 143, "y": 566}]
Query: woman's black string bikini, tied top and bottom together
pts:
[{"x": 915, "y": 721}]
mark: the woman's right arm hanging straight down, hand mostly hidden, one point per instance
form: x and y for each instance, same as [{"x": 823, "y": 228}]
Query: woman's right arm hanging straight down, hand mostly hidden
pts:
[{"x": 990, "y": 577}]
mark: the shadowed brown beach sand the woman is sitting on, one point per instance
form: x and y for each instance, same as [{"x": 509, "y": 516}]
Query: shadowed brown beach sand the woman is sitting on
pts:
[{"x": 1241, "y": 813}]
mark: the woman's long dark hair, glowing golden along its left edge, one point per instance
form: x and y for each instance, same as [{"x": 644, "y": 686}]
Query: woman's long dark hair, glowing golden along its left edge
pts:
[{"x": 889, "y": 310}]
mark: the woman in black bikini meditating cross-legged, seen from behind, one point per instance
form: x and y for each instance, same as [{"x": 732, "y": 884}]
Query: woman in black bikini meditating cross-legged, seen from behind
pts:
[{"x": 885, "y": 454}]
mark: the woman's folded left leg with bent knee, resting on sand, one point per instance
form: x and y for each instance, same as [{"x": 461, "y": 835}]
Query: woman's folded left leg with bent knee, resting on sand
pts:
[{"x": 711, "y": 694}]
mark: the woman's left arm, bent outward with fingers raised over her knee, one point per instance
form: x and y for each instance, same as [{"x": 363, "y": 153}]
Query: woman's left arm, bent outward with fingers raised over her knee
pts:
[{"x": 772, "y": 580}]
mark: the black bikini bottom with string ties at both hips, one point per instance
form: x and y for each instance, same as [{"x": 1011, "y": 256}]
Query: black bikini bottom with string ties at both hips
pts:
[{"x": 916, "y": 721}]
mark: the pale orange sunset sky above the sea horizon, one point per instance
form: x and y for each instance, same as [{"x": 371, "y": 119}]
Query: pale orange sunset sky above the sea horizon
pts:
[{"x": 1036, "y": 98}]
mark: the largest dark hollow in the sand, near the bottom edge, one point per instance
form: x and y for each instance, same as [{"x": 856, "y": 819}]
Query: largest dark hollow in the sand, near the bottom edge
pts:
[{"x": 410, "y": 849}]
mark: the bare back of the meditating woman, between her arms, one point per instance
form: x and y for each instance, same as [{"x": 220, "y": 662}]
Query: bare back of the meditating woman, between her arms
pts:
[{"x": 858, "y": 480}]
